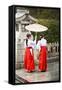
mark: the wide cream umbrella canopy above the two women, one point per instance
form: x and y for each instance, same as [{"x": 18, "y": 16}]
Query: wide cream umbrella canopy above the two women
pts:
[{"x": 36, "y": 28}]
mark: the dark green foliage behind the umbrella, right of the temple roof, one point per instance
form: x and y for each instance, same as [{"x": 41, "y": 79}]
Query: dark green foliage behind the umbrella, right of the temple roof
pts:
[{"x": 50, "y": 18}]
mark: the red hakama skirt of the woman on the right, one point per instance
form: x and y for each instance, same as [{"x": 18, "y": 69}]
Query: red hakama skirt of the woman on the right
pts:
[{"x": 43, "y": 59}]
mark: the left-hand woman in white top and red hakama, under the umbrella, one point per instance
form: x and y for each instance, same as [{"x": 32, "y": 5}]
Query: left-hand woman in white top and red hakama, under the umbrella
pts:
[{"x": 29, "y": 55}]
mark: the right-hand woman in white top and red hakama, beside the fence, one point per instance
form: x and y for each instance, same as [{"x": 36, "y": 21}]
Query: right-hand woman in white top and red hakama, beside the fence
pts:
[{"x": 42, "y": 54}]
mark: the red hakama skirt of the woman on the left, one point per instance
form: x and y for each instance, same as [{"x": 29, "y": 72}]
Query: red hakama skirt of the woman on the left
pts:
[{"x": 29, "y": 60}]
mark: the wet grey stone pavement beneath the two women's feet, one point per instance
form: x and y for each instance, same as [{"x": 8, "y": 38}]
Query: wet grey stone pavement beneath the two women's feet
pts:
[{"x": 52, "y": 74}]
